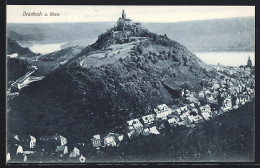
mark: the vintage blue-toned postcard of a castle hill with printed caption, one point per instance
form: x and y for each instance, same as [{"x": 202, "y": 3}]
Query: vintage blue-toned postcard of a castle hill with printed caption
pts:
[{"x": 130, "y": 84}]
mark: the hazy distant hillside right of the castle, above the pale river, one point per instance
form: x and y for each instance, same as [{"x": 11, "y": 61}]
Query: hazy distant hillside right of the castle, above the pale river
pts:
[{"x": 232, "y": 34}]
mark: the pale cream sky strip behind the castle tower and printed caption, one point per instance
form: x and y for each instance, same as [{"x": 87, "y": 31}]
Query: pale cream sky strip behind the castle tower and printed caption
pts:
[{"x": 87, "y": 13}]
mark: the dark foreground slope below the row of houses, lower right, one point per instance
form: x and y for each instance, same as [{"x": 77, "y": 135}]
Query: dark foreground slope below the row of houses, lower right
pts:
[{"x": 225, "y": 138}]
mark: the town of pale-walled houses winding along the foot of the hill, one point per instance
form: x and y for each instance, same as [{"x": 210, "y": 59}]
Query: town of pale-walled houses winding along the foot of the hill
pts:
[{"x": 231, "y": 89}]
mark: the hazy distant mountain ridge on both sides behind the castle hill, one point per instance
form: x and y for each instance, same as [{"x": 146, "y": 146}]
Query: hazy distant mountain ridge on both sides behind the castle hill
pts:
[{"x": 231, "y": 34}]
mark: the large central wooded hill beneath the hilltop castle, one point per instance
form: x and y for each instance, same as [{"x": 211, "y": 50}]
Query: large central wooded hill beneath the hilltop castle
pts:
[{"x": 119, "y": 77}]
